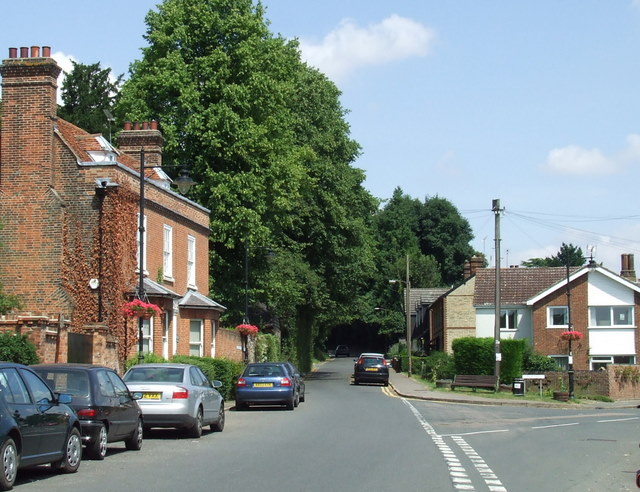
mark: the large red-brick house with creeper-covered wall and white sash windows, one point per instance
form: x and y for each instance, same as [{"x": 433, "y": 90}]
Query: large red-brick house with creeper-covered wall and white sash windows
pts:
[{"x": 69, "y": 206}]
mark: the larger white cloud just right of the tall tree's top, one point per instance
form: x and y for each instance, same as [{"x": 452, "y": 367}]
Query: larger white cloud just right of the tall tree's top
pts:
[{"x": 349, "y": 47}]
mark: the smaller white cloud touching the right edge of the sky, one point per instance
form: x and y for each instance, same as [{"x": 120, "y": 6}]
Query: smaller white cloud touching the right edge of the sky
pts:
[{"x": 580, "y": 161}]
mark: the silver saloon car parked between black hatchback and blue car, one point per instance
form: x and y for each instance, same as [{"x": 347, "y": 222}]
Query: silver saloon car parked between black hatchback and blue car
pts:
[{"x": 178, "y": 396}]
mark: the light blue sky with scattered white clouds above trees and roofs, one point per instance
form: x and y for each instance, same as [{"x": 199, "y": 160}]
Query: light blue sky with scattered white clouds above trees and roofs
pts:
[{"x": 535, "y": 103}]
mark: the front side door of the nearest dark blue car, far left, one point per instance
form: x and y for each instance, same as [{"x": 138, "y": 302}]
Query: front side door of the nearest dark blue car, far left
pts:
[{"x": 53, "y": 420}]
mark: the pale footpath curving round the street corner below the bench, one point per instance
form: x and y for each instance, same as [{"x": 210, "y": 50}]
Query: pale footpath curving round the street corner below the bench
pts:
[{"x": 408, "y": 387}]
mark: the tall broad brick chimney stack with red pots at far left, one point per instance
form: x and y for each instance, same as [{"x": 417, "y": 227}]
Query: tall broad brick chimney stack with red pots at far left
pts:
[{"x": 29, "y": 88}]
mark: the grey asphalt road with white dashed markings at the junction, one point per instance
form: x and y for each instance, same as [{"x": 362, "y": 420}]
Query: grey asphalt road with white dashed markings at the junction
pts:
[{"x": 364, "y": 438}]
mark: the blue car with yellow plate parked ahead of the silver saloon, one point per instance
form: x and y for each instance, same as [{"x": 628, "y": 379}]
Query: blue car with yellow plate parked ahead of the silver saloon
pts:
[{"x": 267, "y": 383}]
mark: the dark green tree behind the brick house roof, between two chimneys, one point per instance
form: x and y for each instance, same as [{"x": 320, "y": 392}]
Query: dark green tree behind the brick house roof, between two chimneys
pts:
[{"x": 87, "y": 92}]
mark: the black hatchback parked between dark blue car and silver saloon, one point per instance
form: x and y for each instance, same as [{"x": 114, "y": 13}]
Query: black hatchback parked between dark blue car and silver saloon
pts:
[{"x": 106, "y": 409}]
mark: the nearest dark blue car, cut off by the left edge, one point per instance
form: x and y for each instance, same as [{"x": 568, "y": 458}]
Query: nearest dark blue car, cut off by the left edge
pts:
[{"x": 36, "y": 425}]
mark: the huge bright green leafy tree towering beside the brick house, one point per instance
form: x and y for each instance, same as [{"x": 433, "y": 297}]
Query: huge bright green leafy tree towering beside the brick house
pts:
[{"x": 271, "y": 154}]
